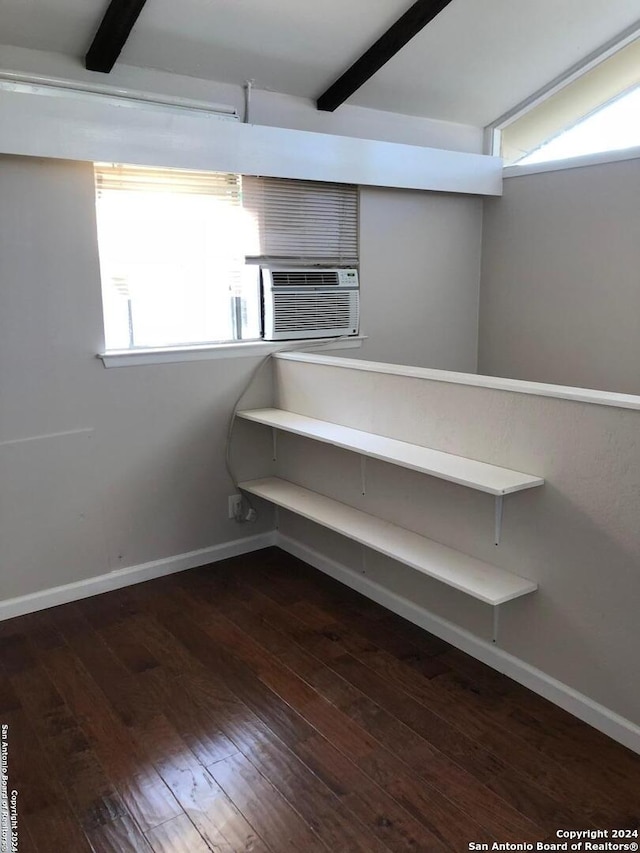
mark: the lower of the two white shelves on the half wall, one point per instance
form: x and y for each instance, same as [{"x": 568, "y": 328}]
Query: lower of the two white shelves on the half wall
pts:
[{"x": 467, "y": 574}]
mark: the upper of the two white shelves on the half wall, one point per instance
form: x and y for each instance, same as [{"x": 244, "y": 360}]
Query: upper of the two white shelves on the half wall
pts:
[{"x": 456, "y": 469}]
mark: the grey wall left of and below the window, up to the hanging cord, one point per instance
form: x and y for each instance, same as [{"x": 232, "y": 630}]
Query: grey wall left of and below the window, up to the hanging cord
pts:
[{"x": 148, "y": 481}]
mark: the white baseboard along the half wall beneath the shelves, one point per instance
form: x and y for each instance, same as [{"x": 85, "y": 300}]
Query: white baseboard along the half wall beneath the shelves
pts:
[{"x": 616, "y": 727}]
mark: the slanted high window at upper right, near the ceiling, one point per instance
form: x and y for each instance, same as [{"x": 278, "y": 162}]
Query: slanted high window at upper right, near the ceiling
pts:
[{"x": 595, "y": 109}]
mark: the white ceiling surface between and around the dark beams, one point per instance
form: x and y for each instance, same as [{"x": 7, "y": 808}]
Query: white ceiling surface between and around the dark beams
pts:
[{"x": 475, "y": 61}]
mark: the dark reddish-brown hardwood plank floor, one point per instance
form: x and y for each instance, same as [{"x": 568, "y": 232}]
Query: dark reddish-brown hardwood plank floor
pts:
[{"x": 257, "y": 705}]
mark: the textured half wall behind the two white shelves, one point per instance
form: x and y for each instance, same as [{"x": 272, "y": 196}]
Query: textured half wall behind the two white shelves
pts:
[{"x": 577, "y": 535}]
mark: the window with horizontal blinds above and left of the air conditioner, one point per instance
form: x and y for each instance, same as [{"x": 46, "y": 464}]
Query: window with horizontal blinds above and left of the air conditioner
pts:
[{"x": 179, "y": 250}]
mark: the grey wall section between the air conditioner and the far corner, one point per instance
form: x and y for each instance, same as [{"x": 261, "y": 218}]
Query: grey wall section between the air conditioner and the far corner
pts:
[{"x": 420, "y": 271}]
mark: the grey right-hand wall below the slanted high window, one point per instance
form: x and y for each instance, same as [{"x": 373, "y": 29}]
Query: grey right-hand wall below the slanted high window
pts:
[{"x": 560, "y": 290}]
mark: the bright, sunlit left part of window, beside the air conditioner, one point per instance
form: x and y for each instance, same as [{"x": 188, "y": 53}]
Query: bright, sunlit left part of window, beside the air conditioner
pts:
[{"x": 172, "y": 255}]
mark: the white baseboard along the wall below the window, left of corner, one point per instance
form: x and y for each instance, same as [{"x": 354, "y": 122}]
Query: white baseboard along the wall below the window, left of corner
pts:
[{"x": 132, "y": 575}]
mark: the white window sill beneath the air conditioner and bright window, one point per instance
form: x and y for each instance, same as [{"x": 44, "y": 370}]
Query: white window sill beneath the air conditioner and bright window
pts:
[{"x": 239, "y": 349}]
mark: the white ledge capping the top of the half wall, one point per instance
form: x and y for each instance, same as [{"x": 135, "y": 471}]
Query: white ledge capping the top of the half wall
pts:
[{"x": 517, "y": 386}]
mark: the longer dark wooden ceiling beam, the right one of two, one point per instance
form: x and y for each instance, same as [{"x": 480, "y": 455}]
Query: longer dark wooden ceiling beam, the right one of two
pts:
[{"x": 404, "y": 29}]
